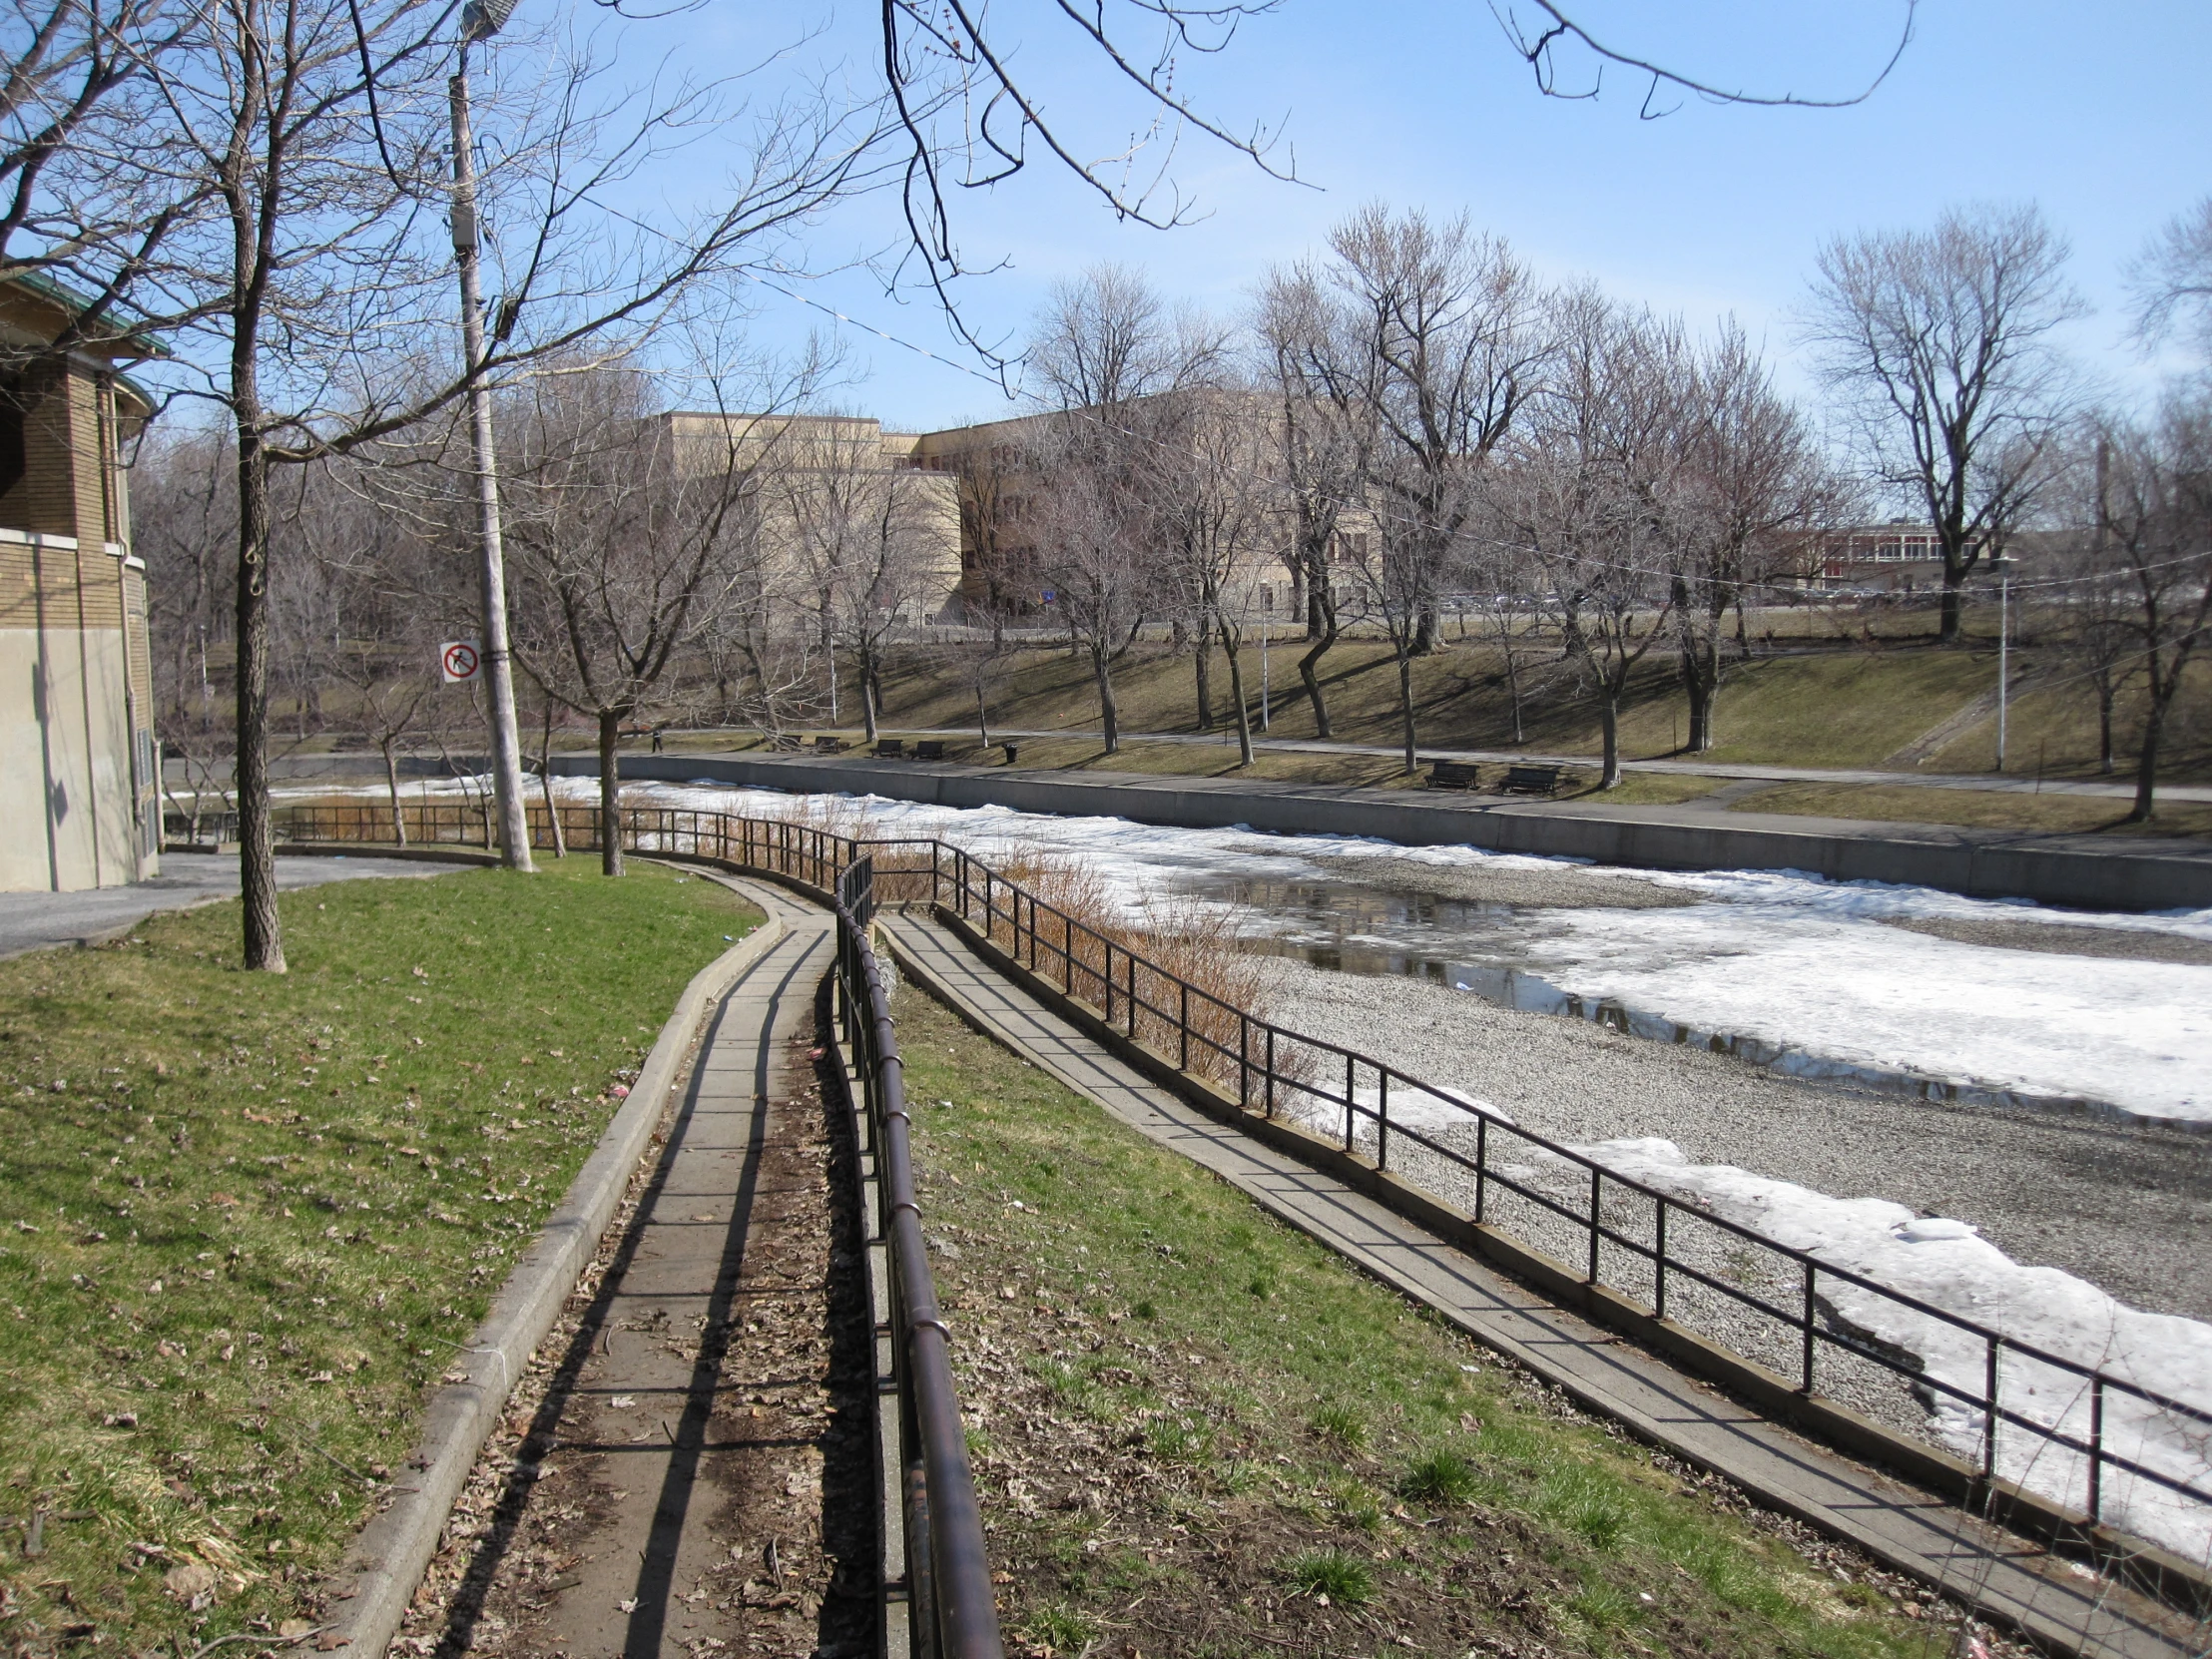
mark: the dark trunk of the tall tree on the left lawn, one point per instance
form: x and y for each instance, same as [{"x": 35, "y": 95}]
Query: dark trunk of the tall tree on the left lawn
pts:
[{"x": 258, "y": 851}]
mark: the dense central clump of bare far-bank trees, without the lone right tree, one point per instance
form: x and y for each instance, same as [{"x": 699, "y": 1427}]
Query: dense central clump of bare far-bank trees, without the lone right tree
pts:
[{"x": 1404, "y": 424}]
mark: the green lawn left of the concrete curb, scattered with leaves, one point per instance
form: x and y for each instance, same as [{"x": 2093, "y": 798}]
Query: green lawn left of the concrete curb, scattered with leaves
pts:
[{"x": 249, "y": 1220}]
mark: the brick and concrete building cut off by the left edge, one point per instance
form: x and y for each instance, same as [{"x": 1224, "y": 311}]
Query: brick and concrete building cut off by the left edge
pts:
[{"x": 79, "y": 760}]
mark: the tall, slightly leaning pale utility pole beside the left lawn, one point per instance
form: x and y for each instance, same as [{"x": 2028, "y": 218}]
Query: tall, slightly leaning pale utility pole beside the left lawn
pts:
[{"x": 481, "y": 21}]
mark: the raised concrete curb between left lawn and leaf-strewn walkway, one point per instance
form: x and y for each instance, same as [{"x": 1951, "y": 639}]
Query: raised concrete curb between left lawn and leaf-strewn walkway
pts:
[{"x": 386, "y": 1563}]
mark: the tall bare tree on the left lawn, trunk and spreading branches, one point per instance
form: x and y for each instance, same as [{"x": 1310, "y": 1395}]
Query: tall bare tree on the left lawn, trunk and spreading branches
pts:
[{"x": 311, "y": 145}]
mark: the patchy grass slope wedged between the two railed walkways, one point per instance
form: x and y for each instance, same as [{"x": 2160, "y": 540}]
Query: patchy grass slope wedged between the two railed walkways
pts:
[{"x": 1189, "y": 1421}]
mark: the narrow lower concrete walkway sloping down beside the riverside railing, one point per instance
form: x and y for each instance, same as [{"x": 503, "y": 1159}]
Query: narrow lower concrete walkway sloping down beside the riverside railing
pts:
[{"x": 1901, "y": 1527}]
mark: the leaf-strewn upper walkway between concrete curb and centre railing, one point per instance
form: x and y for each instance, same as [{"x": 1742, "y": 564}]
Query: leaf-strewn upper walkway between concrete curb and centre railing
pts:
[{"x": 654, "y": 1465}]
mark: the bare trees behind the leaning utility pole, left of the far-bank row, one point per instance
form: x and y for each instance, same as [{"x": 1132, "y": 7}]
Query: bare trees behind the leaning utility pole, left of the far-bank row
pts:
[{"x": 665, "y": 567}]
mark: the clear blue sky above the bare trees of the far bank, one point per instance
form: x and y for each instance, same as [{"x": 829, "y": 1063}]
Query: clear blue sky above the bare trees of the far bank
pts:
[{"x": 2094, "y": 112}]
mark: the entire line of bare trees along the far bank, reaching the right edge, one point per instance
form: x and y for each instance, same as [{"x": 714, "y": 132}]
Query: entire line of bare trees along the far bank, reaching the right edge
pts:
[{"x": 1412, "y": 419}]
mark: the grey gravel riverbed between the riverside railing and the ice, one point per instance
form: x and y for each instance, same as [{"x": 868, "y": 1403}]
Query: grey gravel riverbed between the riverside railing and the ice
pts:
[{"x": 2122, "y": 1207}]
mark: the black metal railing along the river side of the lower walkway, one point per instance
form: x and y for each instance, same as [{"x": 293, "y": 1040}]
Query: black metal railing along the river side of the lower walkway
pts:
[{"x": 1764, "y": 1300}]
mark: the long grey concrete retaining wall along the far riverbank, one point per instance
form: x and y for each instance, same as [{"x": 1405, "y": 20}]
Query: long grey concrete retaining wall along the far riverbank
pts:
[{"x": 1985, "y": 864}]
